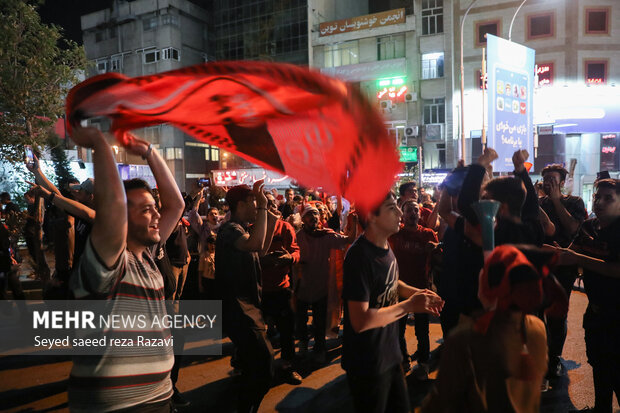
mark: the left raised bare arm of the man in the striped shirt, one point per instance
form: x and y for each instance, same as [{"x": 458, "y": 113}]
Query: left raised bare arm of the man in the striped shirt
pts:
[{"x": 109, "y": 233}]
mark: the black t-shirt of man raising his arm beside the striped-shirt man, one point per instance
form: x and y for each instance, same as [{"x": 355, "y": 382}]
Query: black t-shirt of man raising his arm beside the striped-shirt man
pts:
[{"x": 238, "y": 277}]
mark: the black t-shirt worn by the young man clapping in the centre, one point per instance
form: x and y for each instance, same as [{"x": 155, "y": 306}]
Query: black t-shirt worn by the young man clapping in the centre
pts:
[{"x": 370, "y": 274}]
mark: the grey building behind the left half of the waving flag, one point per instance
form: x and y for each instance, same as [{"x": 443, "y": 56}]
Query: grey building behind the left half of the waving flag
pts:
[{"x": 143, "y": 37}]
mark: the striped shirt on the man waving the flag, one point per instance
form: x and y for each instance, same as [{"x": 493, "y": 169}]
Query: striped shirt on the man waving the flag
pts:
[{"x": 131, "y": 376}]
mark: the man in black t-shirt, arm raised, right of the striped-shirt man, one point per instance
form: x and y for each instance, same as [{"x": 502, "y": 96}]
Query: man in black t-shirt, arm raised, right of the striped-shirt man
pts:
[{"x": 238, "y": 279}]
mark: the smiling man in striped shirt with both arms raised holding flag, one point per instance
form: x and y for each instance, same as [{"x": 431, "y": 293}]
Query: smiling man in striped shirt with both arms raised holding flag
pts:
[{"x": 117, "y": 263}]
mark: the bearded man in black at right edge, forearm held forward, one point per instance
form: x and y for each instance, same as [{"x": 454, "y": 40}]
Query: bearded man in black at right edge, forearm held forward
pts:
[{"x": 598, "y": 246}]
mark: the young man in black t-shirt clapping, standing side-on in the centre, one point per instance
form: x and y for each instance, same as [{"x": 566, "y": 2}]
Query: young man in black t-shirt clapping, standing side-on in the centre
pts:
[{"x": 371, "y": 351}]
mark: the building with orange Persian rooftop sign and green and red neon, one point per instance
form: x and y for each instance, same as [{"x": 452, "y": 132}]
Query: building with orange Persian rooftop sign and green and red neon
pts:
[{"x": 397, "y": 53}]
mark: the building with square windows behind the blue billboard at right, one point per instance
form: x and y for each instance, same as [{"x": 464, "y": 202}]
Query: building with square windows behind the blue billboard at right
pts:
[{"x": 577, "y": 92}]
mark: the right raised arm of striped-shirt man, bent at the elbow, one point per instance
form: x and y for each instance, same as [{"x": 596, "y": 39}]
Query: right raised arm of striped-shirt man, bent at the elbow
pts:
[{"x": 172, "y": 203}]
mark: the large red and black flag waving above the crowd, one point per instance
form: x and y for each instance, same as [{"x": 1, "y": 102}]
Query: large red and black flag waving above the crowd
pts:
[{"x": 313, "y": 128}]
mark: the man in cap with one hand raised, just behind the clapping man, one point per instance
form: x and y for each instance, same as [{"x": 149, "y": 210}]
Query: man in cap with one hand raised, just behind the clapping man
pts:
[{"x": 315, "y": 245}]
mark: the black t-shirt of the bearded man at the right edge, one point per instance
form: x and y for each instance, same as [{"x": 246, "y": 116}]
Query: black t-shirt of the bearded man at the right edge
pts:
[{"x": 603, "y": 243}]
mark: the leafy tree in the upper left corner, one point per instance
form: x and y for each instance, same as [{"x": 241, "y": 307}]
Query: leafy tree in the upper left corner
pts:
[{"x": 37, "y": 66}]
